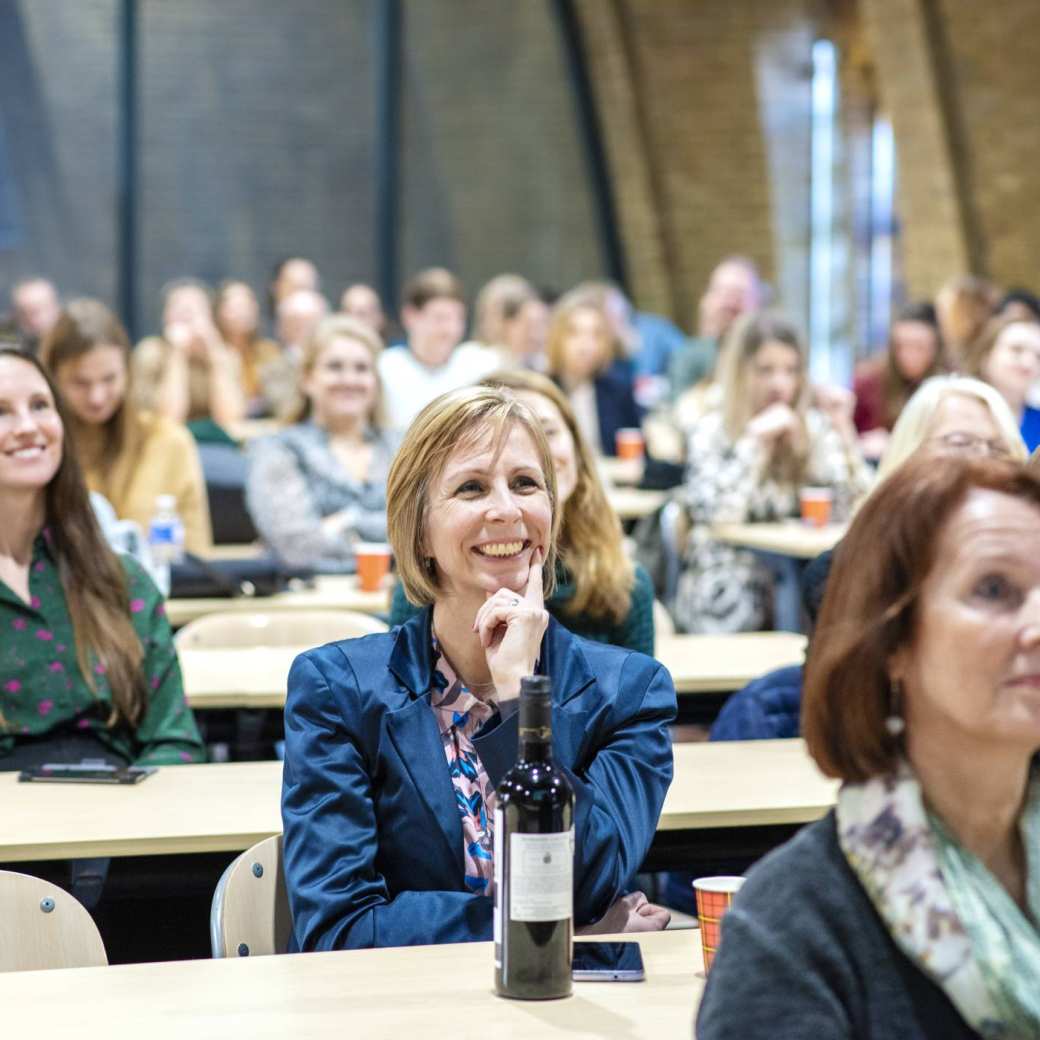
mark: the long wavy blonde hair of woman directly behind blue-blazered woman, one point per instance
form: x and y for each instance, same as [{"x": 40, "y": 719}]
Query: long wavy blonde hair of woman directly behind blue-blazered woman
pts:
[{"x": 591, "y": 541}]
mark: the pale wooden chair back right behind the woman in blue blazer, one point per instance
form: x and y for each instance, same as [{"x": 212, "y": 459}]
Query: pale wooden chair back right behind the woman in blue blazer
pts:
[{"x": 250, "y": 914}]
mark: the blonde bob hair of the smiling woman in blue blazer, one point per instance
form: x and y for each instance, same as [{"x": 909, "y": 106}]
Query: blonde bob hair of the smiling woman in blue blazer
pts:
[{"x": 459, "y": 420}]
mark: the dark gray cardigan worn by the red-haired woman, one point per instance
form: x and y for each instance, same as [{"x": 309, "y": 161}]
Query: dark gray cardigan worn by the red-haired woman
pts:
[{"x": 805, "y": 955}]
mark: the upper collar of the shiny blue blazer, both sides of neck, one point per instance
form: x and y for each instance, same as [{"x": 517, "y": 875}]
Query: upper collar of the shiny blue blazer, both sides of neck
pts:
[{"x": 411, "y": 659}]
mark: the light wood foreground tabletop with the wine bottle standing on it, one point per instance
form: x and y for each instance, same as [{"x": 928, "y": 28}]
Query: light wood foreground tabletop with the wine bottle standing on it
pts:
[{"x": 418, "y": 992}]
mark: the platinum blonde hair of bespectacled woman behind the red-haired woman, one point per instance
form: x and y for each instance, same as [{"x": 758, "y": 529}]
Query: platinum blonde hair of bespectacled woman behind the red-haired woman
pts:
[{"x": 913, "y": 428}]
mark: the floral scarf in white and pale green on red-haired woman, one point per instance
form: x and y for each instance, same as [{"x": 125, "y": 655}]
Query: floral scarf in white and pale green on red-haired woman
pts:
[{"x": 944, "y": 908}]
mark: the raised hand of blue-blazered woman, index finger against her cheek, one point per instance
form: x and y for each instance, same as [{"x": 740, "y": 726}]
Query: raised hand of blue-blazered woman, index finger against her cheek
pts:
[{"x": 511, "y": 627}]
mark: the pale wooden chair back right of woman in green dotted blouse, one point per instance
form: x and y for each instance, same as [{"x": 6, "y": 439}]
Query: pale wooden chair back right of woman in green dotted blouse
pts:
[{"x": 278, "y": 629}]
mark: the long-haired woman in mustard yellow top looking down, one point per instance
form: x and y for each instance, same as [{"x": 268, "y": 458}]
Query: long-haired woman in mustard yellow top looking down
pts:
[{"x": 128, "y": 456}]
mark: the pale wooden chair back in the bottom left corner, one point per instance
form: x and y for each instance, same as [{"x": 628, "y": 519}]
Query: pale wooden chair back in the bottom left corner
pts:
[{"x": 44, "y": 927}]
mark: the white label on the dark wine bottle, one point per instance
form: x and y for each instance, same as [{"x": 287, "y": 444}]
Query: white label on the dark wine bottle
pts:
[{"x": 541, "y": 879}]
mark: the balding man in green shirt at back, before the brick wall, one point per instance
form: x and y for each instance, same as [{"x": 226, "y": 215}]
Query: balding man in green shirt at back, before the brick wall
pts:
[{"x": 734, "y": 289}]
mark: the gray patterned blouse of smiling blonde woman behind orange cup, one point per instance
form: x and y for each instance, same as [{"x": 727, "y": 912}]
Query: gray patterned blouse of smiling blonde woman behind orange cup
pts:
[{"x": 295, "y": 482}]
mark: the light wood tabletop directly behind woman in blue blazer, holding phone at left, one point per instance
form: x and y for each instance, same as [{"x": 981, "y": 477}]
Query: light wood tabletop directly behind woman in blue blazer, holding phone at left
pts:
[{"x": 232, "y": 805}]
